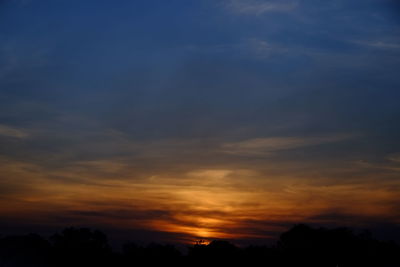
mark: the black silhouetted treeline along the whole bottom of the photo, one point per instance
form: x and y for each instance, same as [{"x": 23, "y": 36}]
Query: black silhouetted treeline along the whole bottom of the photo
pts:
[{"x": 300, "y": 246}]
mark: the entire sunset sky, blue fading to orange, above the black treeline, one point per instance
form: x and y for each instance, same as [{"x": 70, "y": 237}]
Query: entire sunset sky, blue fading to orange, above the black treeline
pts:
[{"x": 210, "y": 119}]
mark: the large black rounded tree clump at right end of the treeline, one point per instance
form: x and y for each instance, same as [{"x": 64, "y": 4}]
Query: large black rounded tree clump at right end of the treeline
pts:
[{"x": 336, "y": 247}]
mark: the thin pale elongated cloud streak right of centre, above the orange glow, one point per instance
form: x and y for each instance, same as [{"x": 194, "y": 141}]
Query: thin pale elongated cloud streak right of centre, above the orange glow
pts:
[{"x": 262, "y": 146}]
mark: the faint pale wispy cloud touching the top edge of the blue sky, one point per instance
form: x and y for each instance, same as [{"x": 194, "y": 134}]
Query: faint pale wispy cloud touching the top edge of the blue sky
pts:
[{"x": 258, "y": 7}]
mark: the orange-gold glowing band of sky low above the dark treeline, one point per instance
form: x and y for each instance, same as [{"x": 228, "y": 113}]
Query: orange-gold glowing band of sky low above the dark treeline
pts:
[{"x": 198, "y": 204}]
